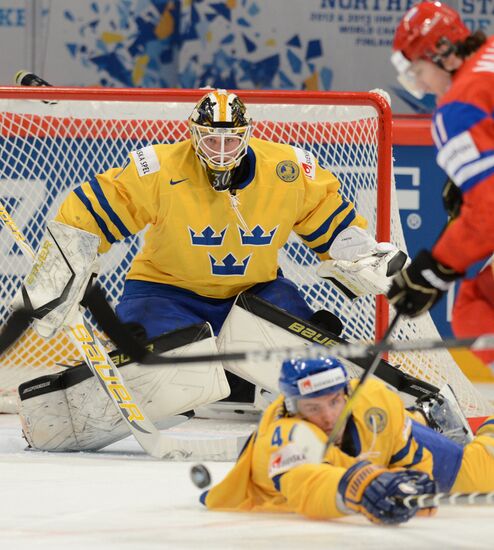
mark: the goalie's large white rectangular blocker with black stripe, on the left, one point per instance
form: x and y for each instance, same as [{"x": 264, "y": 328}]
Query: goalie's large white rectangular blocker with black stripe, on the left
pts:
[{"x": 59, "y": 277}]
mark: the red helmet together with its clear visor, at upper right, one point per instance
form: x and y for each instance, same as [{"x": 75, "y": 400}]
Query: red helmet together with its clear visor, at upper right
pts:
[{"x": 430, "y": 31}]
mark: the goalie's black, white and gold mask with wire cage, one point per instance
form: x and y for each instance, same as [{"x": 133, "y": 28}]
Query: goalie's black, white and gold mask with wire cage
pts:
[{"x": 220, "y": 130}]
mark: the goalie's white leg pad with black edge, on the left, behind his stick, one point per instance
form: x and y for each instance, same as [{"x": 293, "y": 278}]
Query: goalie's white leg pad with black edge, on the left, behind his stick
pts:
[{"x": 71, "y": 411}]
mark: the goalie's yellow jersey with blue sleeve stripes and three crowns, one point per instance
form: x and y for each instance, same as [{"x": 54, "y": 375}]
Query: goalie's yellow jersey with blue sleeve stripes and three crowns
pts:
[{"x": 215, "y": 244}]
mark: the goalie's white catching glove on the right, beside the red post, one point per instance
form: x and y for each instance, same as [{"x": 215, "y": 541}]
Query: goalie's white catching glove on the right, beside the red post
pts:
[{"x": 360, "y": 265}]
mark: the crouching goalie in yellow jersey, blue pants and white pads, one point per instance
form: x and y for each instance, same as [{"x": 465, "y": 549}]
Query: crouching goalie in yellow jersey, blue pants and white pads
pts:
[{"x": 217, "y": 208}]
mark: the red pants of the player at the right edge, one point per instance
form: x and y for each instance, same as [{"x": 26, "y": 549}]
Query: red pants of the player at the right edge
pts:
[{"x": 473, "y": 313}]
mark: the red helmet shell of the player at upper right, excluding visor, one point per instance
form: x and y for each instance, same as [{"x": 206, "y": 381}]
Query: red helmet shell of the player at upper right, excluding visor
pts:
[{"x": 426, "y": 26}]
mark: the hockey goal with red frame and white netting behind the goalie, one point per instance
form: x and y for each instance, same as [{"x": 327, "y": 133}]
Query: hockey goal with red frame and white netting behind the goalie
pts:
[{"x": 47, "y": 148}]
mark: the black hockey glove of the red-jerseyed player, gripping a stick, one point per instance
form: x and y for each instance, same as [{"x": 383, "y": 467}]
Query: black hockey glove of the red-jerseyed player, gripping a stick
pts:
[{"x": 418, "y": 287}]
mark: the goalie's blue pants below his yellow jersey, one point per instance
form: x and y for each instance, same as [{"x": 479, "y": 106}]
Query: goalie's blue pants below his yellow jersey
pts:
[{"x": 160, "y": 308}]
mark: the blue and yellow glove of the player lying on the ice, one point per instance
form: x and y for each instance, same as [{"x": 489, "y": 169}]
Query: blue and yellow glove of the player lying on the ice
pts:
[{"x": 377, "y": 492}]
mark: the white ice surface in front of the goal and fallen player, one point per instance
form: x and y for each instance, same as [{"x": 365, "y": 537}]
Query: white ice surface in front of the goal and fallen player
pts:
[{"x": 122, "y": 499}]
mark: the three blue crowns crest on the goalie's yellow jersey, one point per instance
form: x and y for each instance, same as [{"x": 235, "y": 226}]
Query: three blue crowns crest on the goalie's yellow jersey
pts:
[{"x": 230, "y": 264}]
